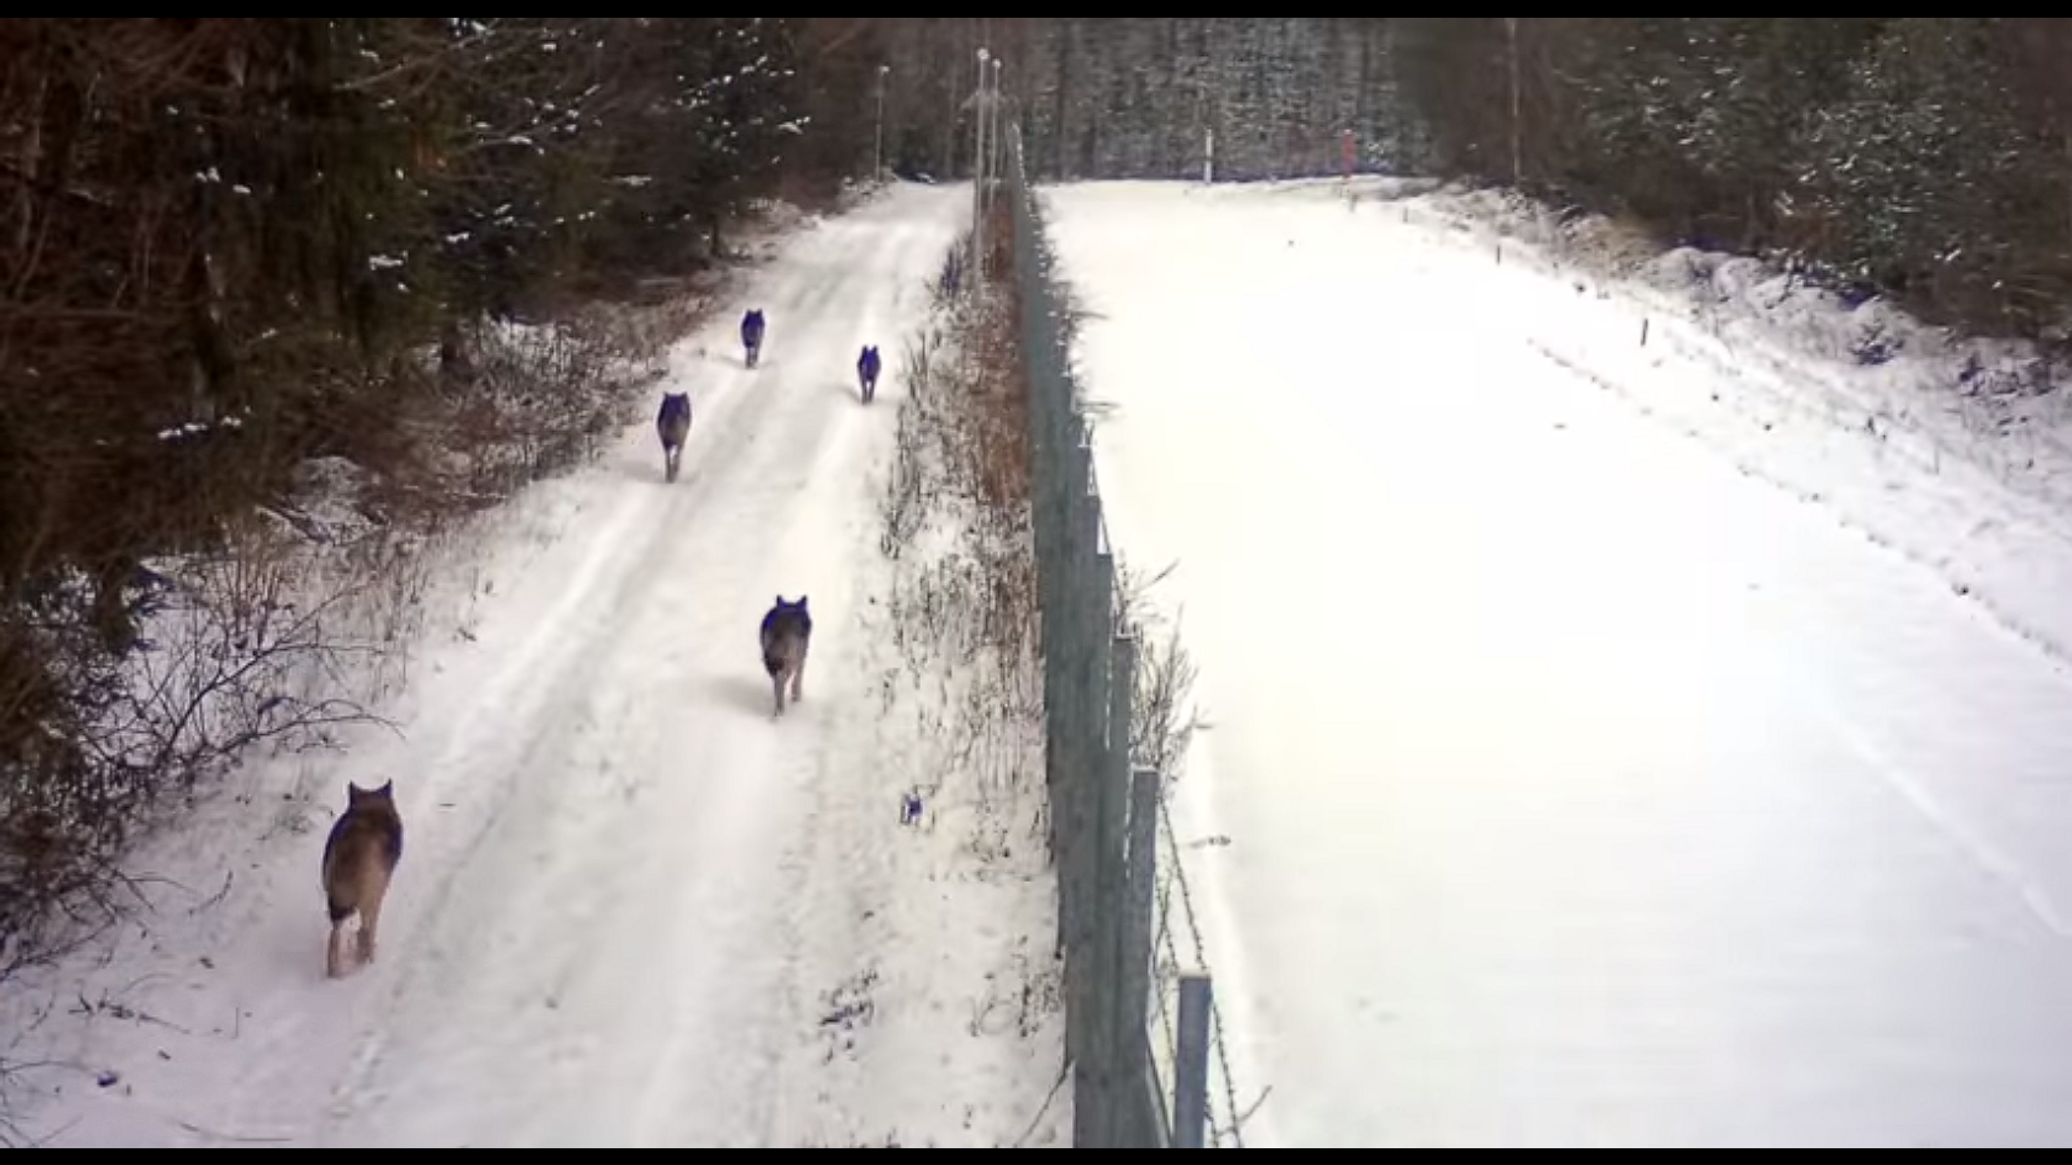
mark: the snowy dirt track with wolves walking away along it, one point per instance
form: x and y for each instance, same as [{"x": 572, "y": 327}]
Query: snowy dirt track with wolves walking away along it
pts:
[{"x": 596, "y": 924}]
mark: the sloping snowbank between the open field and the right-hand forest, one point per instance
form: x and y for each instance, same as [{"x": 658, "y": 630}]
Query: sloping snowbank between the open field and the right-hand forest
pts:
[{"x": 1953, "y": 451}]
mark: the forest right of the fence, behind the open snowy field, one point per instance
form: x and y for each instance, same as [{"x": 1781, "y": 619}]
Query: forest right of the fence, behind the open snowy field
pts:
[{"x": 1928, "y": 159}]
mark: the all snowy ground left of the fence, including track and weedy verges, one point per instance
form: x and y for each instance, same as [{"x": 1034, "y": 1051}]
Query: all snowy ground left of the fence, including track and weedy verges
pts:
[{"x": 633, "y": 907}]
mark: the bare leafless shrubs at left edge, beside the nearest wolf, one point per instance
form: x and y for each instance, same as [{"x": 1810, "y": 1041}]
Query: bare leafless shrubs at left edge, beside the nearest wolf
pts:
[{"x": 235, "y": 656}]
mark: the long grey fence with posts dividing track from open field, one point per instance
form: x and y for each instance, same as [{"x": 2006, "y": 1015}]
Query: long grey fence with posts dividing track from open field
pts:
[{"x": 1143, "y": 1029}]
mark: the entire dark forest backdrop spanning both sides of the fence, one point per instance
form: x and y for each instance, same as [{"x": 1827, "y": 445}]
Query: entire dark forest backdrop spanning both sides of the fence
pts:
[{"x": 235, "y": 250}]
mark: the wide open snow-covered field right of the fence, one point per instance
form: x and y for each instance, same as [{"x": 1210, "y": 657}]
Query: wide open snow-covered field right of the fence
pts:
[{"x": 1617, "y": 745}]
